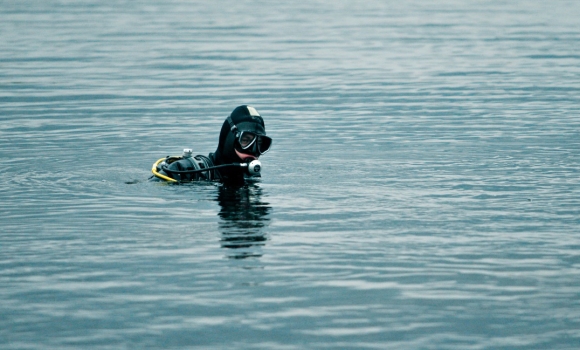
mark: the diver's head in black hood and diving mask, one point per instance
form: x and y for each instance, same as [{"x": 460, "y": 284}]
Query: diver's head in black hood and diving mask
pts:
[{"x": 243, "y": 137}]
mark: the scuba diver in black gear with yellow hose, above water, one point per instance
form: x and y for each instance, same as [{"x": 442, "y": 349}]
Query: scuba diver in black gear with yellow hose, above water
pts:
[{"x": 242, "y": 141}]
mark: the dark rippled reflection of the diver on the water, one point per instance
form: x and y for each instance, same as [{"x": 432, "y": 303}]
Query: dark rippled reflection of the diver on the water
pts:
[{"x": 244, "y": 217}]
